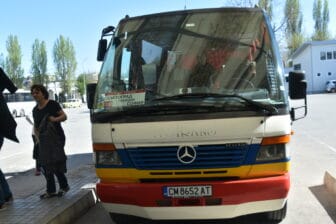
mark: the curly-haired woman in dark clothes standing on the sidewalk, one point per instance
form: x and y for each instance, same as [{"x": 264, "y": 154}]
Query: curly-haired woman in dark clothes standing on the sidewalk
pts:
[{"x": 47, "y": 116}]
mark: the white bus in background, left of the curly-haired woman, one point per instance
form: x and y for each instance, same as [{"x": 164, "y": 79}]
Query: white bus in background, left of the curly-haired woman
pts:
[{"x": 20, "y": 103}]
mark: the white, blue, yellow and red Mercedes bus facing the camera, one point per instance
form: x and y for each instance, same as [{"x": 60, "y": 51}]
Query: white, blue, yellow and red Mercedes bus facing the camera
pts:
[{"x": 191, "y": 118}]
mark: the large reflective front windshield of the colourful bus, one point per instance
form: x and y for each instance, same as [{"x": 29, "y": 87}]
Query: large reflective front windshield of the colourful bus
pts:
[{"x": 191, "y": 58}]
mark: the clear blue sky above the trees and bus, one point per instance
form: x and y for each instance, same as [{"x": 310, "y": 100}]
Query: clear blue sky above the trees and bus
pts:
[{"x": 82, "y": 21}]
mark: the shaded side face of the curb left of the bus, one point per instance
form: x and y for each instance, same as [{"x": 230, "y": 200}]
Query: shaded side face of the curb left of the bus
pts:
[{"x": 78, "y": 207}]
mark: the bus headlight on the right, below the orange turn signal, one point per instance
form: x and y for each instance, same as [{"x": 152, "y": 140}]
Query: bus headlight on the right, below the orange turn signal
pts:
[{"x": 272, "y": 152}]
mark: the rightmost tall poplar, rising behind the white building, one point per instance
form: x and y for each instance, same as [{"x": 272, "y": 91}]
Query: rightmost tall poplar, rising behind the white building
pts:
[{"x": 321, "y": 18}]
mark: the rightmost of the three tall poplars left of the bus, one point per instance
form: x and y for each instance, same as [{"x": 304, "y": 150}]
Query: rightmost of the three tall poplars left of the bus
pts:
[{"x": 65, "y": 63}]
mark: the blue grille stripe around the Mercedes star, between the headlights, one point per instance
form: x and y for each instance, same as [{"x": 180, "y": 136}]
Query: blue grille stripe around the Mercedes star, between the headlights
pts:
[{"x": 208, "y": 156}]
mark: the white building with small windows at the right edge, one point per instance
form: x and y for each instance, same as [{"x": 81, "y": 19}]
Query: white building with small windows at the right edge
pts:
[{"x": 318, "y": 60}]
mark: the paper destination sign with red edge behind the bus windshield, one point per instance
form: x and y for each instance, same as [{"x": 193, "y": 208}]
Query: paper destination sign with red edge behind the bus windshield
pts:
[{"x": 125, "y": 98}]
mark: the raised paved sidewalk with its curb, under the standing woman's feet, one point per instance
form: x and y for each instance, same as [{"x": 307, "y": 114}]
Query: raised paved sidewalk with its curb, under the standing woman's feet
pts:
[{"x": 29, "y": 208}]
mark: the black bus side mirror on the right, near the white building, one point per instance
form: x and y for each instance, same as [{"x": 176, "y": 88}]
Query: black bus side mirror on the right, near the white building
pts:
[{"x": 297, "y": 90}]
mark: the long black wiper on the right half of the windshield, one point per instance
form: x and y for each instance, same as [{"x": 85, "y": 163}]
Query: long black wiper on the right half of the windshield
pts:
[{"x": 268, "y": 107}]
